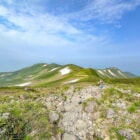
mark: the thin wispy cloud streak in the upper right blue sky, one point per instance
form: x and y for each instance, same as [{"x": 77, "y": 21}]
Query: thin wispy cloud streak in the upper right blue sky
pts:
[{"x": 106, "y": 11}]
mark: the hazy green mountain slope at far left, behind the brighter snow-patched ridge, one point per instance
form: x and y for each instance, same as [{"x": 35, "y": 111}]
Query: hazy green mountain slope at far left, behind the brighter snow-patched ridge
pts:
[{"x": 25, "y": 74}]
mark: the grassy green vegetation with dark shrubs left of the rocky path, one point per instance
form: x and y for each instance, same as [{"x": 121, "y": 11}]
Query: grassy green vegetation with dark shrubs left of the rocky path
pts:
[{"x": 23, "y": 116}]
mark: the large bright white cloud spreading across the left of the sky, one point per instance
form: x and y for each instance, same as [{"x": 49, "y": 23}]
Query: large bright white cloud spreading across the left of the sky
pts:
[{"x": 43, "y": 29}]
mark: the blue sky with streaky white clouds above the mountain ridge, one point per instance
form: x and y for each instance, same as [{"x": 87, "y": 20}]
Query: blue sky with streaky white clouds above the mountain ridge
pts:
[{"x": 88, "y": 33}]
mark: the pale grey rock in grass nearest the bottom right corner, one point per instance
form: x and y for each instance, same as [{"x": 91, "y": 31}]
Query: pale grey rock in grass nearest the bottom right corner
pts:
[{"x": 127, "y": 133}]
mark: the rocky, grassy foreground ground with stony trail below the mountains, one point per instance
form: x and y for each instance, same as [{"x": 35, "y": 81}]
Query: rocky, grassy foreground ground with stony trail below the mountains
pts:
[{"x": 70, "y": 113}]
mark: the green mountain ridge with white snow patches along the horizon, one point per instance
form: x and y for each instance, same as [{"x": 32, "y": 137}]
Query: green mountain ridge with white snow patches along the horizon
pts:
[{"x": 54, "y": 74}]
